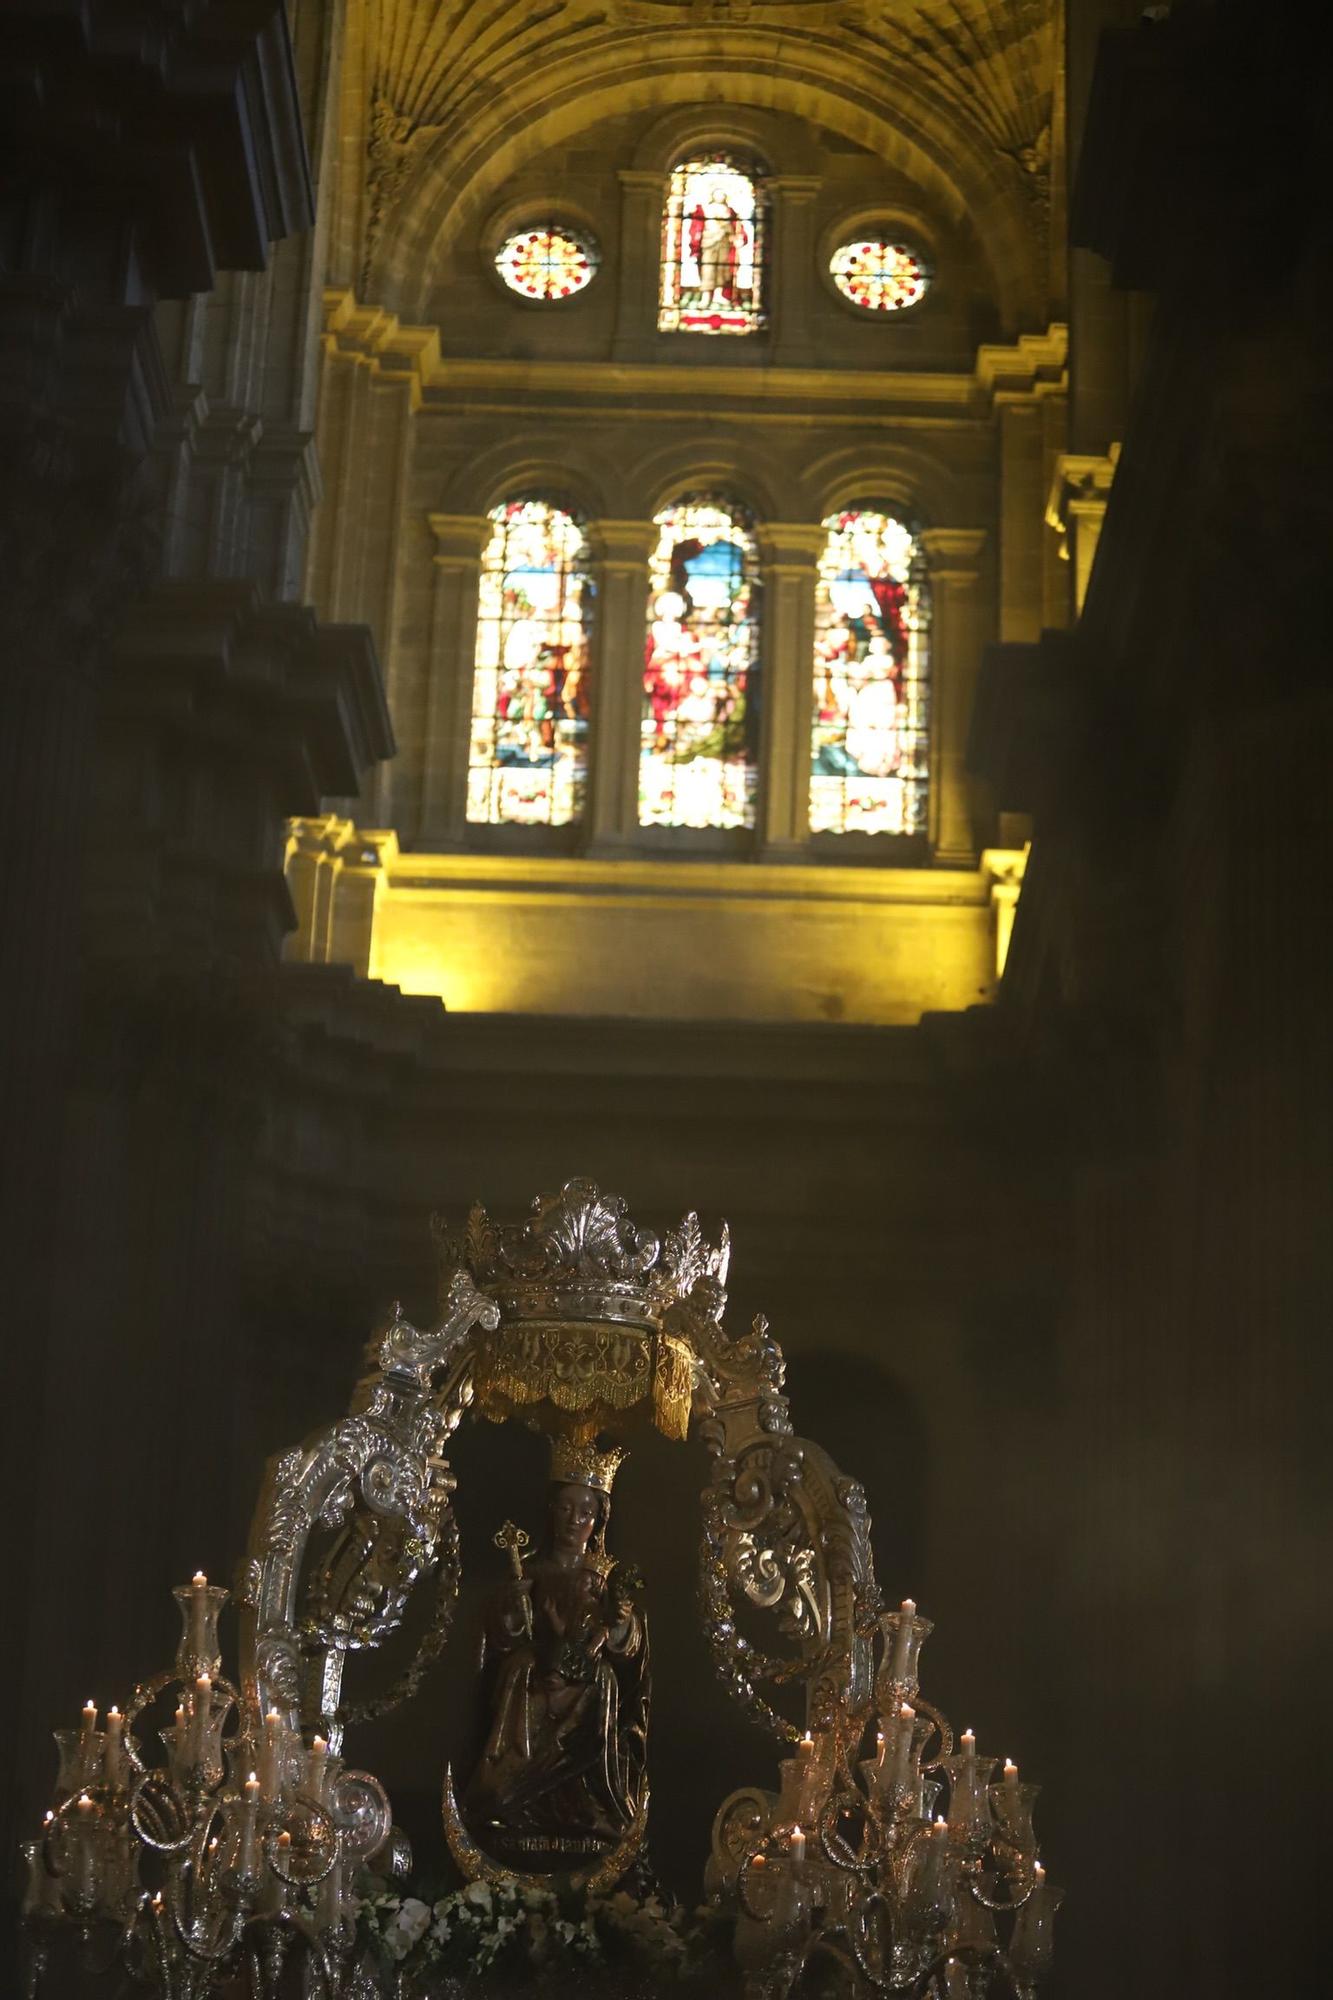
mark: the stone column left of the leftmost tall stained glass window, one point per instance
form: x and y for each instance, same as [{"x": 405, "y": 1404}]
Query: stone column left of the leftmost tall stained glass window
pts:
[{"x": 459, "y": 541}]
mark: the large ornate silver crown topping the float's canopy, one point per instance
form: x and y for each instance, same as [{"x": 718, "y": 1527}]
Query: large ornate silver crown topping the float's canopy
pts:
[{"x": 579, "y": 1257}]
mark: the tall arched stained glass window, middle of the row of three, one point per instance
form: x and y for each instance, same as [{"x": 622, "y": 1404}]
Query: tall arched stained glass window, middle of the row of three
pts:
[{"x": 700, "y": 763}]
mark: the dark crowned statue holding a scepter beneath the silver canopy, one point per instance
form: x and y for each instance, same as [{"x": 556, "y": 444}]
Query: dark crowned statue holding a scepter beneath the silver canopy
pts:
[{"x": 565, "y": 1665}]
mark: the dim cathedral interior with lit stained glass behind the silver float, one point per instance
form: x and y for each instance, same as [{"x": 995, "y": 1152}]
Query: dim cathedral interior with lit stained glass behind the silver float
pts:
[{"x": 728, "y": 597}]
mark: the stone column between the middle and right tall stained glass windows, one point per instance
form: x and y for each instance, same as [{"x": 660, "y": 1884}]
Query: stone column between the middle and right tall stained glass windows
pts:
[{"x": 790, "y": 553}]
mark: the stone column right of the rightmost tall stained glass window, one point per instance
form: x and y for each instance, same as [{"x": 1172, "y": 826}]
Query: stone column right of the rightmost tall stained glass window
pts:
[{"x": 960, "y": 631}]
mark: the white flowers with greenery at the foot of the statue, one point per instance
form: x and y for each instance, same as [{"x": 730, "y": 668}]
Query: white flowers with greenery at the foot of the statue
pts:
[{"x": 531, "y": 1939}]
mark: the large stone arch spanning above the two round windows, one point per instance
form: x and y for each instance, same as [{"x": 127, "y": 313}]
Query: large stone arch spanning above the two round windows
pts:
[{"x": 461, "y": 167}]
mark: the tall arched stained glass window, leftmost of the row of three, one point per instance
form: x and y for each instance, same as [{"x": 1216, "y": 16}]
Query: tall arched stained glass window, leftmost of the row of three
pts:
[{"x": 529, "y": 757}]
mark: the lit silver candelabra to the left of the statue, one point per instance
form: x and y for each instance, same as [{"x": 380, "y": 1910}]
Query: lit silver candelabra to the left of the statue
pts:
[{"x": 221, "y": 1859}]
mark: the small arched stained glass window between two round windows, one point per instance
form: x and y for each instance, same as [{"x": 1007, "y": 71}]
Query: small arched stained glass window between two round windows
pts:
[{"x": 714, "y": 249}]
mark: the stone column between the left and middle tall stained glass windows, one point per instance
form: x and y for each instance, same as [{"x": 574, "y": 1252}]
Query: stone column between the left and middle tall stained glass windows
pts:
[{"x": 621, "y": 553}]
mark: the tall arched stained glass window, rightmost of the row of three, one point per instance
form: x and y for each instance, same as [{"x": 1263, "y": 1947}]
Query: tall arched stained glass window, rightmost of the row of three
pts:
[{"x": 870, "y": 755}]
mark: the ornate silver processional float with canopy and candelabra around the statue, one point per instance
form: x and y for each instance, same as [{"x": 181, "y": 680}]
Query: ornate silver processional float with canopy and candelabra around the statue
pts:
[{"x": 890, "y": 1853}]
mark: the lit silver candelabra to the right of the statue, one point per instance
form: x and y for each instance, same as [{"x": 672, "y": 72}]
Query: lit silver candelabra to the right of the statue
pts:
[{"x": 914, "y": 1869}]
